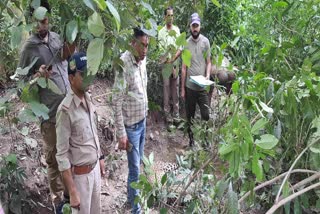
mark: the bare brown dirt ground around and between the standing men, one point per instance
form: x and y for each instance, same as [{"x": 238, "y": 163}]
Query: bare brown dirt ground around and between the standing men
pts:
[{"x": 165, "y": 145}]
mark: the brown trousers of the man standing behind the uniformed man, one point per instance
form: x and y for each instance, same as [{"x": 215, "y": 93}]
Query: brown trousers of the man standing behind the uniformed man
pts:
[{"x": 48, "y": 131}]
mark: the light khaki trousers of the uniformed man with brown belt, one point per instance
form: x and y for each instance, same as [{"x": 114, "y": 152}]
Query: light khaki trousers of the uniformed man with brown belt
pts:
[{"x": 89, "y": 189}]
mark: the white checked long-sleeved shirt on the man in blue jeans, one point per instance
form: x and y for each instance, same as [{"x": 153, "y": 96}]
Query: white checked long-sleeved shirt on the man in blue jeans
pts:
[{"x": 130, "y": 100}]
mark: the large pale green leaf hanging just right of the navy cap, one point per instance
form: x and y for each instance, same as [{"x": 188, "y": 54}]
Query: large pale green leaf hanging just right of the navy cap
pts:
[{"x": 94, "y": 55}]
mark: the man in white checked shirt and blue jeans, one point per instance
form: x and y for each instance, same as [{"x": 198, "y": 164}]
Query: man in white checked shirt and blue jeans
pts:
[{"x": 130, "y": 104}]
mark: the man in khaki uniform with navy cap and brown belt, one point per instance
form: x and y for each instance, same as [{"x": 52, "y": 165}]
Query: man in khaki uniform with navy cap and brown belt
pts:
[{"x": 78, "y": 150}]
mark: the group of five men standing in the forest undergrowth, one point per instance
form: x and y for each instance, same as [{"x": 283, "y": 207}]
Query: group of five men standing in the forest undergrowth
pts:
[{"x": 73, "y": 155}]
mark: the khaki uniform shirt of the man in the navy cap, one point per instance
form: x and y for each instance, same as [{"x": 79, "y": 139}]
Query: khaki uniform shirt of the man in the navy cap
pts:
[{"x": 77, "y": 137}]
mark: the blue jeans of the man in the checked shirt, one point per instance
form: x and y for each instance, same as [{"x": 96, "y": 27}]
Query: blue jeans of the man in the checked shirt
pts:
[{"x": 136, "y": 136}]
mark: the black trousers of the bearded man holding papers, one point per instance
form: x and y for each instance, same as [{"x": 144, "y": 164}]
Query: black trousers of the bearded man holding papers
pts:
[{"x": 192, "y": 99}]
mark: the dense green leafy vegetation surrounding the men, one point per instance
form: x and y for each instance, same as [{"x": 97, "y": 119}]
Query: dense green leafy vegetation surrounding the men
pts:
[{"x": 268, "y": 126}]
